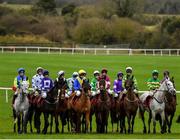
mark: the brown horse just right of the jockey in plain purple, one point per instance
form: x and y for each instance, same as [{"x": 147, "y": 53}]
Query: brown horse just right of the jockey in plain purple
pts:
[{"x": 131, "y": 104}]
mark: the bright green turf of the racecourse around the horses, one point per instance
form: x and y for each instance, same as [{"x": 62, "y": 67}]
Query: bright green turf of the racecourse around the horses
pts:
[{"x": 142, "y": 65}]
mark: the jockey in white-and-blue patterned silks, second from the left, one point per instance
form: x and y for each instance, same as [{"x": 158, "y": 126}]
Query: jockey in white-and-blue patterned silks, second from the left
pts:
[{"x": 36, "y": 80}]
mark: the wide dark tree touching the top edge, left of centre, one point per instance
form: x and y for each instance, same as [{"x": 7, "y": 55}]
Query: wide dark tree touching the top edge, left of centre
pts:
[{"x": 45, "y": 6}]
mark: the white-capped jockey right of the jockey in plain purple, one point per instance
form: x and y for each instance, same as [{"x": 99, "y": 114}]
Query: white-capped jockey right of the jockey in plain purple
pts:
[{"x": 128, "y": 75}]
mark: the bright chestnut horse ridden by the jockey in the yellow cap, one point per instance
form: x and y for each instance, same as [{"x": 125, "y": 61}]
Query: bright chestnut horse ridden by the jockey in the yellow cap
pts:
[{"x": 80, "y": 106}]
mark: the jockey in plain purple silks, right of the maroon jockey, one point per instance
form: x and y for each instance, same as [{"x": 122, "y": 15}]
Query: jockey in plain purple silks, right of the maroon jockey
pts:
[{"x": 118, "y": 88}]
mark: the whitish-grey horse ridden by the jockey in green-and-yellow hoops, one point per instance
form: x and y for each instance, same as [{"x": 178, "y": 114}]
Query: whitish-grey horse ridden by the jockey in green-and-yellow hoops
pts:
[{"x": 156, "y": 105}]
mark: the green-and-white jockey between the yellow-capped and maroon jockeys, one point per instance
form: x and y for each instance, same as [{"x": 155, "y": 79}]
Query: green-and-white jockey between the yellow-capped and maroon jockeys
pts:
[{"x": 94, "y": 83}]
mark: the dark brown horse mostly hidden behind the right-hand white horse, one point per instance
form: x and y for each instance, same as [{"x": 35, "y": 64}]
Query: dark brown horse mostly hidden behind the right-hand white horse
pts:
[{"x": 170, "y": 107}]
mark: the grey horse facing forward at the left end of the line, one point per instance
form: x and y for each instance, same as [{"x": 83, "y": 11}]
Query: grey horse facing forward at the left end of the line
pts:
[{"x": 21, "y": 106}]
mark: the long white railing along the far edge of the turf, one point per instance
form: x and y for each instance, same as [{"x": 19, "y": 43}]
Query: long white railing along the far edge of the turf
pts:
[{"x": 94, "y": 51}]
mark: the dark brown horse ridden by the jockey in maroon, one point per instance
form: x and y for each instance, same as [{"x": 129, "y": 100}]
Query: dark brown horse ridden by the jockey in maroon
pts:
[{"x": 103, "y": 108}]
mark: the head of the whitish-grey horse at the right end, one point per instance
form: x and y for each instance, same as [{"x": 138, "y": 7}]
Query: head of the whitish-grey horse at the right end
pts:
[{"x": 168, "y": 86}]
